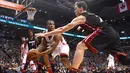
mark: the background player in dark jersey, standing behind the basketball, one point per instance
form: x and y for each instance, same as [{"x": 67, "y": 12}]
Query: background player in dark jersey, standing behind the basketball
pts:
[{"x": 31, "y": 43}]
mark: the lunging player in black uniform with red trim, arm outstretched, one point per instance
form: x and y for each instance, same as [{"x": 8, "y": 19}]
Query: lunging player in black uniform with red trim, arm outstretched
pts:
[{"x": 102, "y": 36}]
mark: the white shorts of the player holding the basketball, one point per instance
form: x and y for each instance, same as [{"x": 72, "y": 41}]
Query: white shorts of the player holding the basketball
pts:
[{"x": 63, "y": 49}]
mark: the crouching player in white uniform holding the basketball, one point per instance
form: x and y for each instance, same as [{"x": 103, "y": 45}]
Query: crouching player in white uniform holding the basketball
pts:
[{"x": 55, "y": 45}]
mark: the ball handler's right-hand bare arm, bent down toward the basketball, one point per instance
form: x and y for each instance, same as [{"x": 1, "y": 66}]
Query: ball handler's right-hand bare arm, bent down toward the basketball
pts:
[{"x": 53, "y": 45}]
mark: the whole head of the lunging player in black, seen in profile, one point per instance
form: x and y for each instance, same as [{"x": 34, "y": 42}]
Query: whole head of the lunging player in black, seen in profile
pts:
[{"x": 80, "y": 7}]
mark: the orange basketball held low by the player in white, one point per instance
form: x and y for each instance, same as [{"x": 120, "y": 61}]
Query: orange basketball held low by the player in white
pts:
[{"x": 33, "y": 54}]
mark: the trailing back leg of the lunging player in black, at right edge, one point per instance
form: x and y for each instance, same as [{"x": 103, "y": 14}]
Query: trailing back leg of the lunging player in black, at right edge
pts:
[{"x": 116, "y": 50}]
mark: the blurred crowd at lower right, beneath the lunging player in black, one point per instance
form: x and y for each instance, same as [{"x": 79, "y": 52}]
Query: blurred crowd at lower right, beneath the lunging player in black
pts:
[{"x": 98, "y": 64}]
